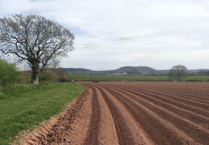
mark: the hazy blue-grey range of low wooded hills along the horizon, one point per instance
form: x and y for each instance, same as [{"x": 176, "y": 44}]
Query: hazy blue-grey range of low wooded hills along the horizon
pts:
[{"x": 127, "y": 70}]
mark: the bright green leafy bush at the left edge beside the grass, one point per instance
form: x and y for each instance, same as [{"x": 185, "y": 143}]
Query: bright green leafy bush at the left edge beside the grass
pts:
[{"x": 8, "y": 74}]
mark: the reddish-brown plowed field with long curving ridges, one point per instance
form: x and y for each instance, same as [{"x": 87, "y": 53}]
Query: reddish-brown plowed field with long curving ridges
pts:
[{"x": 143, "y": 113}]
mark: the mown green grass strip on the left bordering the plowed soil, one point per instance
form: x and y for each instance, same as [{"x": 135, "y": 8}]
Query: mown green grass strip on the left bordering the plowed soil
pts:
[{"x": 27, "y": 105}]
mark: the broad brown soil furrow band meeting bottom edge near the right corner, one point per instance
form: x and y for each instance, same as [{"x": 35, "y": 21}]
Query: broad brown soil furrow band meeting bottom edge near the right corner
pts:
[{"x": 160, "y": 131}]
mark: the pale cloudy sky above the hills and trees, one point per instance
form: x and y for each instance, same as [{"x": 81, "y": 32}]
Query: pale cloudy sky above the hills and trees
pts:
[{"x": 110, "y": 34}]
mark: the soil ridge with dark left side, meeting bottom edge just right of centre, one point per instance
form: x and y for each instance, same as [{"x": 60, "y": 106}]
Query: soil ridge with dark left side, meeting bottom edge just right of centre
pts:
[{"x": 127, "y": 129}]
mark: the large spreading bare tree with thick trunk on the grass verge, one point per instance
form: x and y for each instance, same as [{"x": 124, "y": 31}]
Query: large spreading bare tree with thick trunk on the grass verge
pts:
[{"x": 35, "y": 40}]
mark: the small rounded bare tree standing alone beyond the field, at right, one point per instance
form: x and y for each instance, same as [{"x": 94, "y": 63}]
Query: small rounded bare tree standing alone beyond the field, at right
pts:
[{"x": 178, "y": 72}]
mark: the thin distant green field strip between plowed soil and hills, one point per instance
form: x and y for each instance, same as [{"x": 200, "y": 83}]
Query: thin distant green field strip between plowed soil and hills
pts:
[{"x": 131, "y": 78}]
